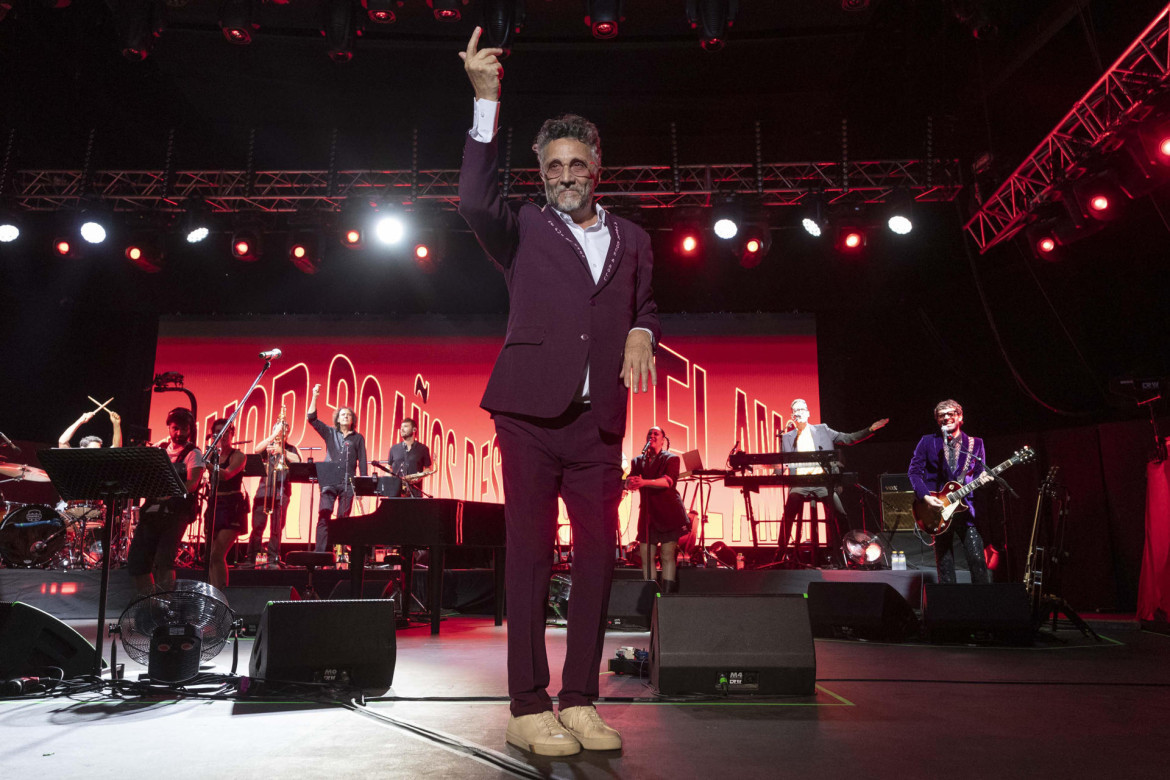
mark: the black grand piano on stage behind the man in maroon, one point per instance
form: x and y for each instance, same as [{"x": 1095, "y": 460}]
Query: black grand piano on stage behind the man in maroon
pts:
[{"x": 425, "y": 523}]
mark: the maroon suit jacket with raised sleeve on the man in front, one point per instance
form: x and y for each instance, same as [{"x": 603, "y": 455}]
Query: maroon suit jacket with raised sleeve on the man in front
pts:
[{"x": 560, "y": 321}]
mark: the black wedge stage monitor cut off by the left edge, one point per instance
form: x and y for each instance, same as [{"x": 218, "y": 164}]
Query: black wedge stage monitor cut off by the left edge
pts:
[{"x": 32, "y": 643}]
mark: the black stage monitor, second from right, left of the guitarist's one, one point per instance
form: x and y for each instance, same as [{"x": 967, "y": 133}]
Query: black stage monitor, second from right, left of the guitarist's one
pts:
[{"x": 861, "y": 611}]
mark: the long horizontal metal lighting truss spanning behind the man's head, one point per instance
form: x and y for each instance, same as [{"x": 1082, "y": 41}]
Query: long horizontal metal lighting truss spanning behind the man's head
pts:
[{"x": 782, "y": 184}]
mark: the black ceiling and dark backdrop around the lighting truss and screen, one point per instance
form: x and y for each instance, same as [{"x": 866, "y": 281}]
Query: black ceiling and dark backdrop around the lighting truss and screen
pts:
[{"x": 898, "y": 329}]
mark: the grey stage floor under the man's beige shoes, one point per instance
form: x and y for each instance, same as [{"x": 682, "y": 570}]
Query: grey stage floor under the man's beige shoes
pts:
[{"x": 1056, "y": 710}]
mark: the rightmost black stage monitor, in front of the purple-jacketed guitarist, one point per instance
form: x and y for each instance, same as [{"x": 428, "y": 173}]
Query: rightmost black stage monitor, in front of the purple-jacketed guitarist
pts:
[{"x": 990, "y": 615}]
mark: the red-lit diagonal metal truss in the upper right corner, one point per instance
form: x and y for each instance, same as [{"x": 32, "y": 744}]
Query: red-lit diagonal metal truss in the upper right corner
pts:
[{"x": 1113, "y": 103}]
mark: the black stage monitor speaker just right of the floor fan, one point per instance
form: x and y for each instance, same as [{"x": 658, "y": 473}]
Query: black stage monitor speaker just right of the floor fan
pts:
[{"x": 342, "y": 643}]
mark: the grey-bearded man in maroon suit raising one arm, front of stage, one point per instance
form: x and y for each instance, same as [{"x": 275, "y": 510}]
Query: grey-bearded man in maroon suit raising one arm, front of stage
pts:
[{"x": 582, "y": 330}]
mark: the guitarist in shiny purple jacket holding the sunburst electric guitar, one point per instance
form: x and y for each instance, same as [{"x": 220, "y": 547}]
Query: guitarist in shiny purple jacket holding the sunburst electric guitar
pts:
[{"x": 945, "y": 458}]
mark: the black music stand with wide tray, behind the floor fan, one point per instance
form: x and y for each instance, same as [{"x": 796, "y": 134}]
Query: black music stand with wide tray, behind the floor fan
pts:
[{"x": 111, "y": 475}]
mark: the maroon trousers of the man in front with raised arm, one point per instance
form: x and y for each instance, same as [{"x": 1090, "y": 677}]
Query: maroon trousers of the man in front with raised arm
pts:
[{"x": 570, "y": 458}]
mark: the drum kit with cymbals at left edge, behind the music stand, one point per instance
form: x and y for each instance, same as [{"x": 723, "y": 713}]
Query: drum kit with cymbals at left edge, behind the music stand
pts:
[{"x": 67, "y": 536}]
